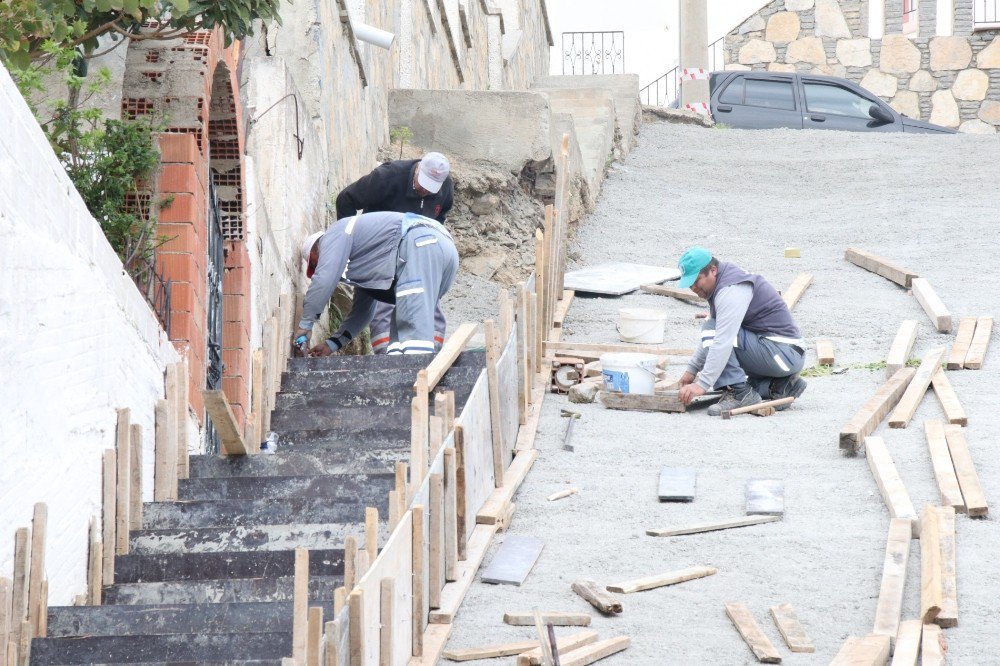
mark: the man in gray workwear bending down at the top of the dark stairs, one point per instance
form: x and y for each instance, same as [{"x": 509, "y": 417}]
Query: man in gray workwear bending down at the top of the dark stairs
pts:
[{"x": 400, "y": 258}]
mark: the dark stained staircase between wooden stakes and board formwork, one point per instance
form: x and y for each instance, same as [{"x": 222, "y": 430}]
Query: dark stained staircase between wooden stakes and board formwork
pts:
[{"x": 209, "y": 578}]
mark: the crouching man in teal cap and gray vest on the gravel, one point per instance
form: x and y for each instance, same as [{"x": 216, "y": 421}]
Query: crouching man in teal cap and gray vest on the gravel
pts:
[{"x": 750, "y": 346}]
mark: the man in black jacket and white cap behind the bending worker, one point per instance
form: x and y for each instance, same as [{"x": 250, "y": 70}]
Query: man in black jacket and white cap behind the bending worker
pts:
[{"x": 421, "y": 186}]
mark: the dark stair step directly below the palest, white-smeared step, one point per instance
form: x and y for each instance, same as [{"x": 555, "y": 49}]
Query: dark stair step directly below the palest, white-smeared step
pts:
[{"x": 139, "y": 568}]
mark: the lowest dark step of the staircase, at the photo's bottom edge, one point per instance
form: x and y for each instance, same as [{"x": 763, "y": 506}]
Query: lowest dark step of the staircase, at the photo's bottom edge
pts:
[{"x": 190, "y": 648}]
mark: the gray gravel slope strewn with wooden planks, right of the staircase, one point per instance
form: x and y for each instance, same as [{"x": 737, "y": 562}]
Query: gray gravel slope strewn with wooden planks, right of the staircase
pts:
[{"x": 931, "y": 203}]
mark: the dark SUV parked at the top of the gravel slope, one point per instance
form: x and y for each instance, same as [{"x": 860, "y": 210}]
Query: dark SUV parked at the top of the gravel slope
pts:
[{"x": 768, "y": 100}]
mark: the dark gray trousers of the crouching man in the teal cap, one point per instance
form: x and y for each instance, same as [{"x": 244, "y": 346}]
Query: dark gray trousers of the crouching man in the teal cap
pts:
[{"x": 755, "y": 359}]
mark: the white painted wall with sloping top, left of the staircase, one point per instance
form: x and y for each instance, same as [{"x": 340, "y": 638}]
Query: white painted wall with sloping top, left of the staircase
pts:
[{"x": 77, "y": 341}]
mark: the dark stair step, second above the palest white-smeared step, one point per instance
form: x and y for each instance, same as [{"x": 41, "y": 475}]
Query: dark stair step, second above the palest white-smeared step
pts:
[{"x": 363, "y": 489}]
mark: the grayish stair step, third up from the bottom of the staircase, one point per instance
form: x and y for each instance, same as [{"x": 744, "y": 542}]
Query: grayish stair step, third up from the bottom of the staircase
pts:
[{"x": 236, "y": 590}]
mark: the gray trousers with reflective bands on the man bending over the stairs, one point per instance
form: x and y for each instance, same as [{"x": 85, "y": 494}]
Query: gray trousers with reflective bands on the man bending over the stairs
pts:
[{"x": 428, "y": 262}]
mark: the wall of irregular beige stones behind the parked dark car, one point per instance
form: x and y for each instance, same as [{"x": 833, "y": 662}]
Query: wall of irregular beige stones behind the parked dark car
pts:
[{"x": 949, "y": 80}]
